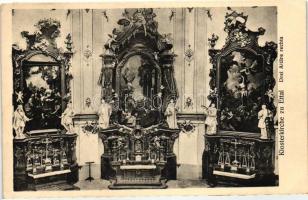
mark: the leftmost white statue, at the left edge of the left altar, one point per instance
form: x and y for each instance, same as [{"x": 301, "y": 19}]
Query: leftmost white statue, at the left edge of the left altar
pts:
[{"x": 19, "y": 122}]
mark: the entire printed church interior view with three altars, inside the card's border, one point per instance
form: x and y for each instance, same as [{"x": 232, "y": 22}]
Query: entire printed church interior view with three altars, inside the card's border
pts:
[{"x": 149, "y": 98}]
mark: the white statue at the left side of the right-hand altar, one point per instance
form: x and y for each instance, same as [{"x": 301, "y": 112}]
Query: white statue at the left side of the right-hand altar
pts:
[{"x": 211, "y": 120}]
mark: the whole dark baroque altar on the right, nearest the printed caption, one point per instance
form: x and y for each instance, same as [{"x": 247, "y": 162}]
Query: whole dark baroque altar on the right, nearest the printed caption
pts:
[{"x": 242, "y": 84}]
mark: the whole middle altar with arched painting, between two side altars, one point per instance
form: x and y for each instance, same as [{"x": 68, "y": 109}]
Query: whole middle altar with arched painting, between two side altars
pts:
[{"x": 137, "y": 119}]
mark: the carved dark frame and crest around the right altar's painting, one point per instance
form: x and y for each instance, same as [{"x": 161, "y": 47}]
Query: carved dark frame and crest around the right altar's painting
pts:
[{"x": 240, "y": 38}]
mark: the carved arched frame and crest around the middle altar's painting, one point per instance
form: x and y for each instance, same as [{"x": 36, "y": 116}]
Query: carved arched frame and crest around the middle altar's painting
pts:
[{"x": 132, "y": 39}]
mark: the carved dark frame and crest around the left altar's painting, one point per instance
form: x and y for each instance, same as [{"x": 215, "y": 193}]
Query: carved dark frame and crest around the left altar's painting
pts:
[{"x": 43, "y": 44}]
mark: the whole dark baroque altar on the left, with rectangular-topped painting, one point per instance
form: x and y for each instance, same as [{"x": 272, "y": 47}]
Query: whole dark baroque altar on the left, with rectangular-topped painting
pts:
[{"x": 44, "y": 141}]
